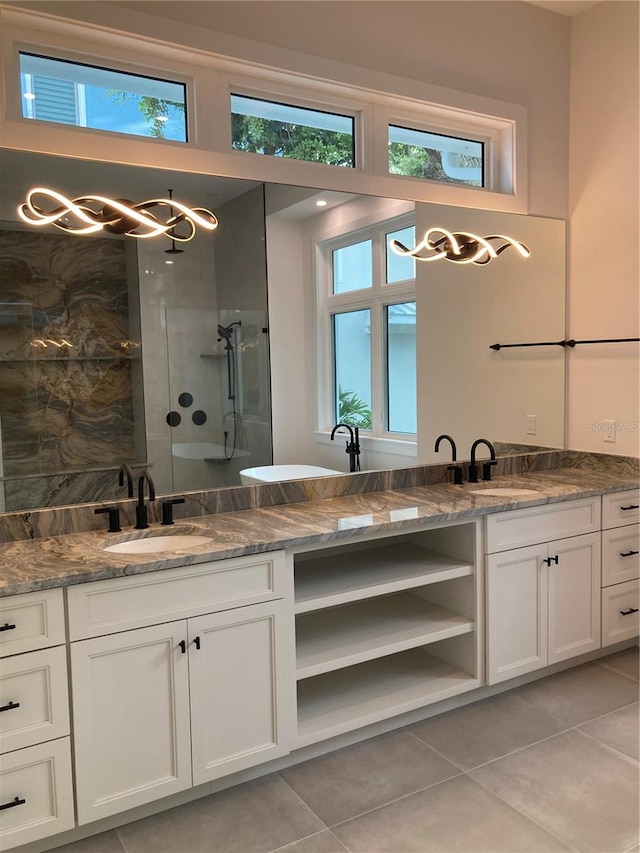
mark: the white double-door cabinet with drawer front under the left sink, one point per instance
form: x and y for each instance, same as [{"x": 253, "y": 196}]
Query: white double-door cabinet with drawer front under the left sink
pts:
[{"x": 161, "y": 703}]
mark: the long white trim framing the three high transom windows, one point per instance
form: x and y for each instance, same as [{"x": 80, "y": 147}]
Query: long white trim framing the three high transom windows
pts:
[{"x": 209, "y": 76}]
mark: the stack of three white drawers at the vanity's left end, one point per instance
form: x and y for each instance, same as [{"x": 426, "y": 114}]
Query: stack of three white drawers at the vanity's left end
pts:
[{"x": 36, "y": 792}]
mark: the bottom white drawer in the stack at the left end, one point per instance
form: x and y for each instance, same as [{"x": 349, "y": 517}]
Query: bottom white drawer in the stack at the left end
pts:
[{"x": 38, "y": 781}]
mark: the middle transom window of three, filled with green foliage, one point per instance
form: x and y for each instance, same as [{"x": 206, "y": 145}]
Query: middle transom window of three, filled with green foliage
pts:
[{"x": 283, "y": 130}]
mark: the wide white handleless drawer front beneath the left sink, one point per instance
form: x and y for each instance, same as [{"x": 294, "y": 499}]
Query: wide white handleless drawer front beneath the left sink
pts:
[{"x": 105, "y": 607}]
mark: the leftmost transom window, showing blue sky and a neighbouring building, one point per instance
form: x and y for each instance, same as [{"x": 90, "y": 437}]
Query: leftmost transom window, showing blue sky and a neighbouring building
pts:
[{"x": 102, "y": 99}]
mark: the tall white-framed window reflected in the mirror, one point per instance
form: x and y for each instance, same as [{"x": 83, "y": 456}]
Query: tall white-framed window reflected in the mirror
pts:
[{"x": 368, "y": 317}]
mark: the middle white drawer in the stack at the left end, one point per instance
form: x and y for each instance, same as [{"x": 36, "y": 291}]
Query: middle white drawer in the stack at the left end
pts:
[{"x": 34, "y": 704}]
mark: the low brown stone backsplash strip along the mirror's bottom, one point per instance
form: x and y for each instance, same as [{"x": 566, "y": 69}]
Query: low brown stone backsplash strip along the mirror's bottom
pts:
[{"x": 58, "y": 521}]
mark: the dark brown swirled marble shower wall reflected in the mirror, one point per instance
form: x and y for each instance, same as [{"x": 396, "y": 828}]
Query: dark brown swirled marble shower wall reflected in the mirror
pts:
[{"x": 67, "y": 365}]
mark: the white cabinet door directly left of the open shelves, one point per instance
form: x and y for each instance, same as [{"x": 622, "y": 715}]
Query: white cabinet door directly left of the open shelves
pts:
[{"x": 242, "y": 688}]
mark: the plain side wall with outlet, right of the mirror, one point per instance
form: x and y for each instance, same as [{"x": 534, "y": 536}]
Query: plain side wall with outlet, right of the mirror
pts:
[{"x": 603, "y": 380}]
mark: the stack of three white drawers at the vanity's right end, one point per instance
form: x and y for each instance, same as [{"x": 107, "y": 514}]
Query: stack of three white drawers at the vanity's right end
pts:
[{"x": 620, "y": 566}]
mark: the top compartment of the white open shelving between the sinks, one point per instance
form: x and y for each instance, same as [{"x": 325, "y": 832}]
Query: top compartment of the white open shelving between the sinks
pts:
[{"x": 331, "y": 580}]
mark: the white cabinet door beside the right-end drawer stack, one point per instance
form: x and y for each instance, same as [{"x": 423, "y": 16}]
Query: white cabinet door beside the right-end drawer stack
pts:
[{"x": 574, "y": 596}]
